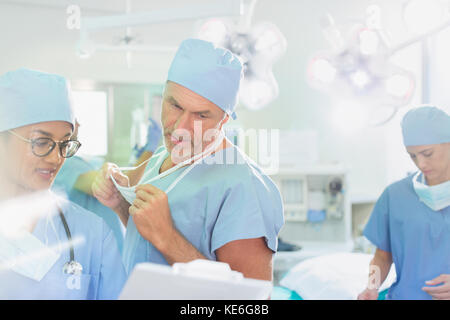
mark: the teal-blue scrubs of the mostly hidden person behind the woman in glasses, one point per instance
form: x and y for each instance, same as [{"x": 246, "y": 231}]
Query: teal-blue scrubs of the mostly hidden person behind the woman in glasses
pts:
[{"x": 67, "y": 176}]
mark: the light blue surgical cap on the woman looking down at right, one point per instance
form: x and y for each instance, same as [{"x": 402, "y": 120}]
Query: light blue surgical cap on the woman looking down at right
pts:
[{"x": 425, "y": 125}]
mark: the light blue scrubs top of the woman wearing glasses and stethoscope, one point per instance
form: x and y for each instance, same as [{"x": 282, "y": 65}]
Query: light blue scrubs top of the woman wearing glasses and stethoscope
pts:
[{"x": 103, "y": 274}]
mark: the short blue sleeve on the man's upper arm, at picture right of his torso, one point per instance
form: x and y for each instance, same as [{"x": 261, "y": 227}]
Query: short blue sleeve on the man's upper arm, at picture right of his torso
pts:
[{"x": 248, "y": 211}]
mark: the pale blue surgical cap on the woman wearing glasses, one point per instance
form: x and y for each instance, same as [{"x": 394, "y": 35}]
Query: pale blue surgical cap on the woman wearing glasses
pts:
[{"x": 29, "y": 97}]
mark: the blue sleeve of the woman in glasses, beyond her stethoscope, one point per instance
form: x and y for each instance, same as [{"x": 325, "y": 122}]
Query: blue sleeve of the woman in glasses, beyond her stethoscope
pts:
[{"x": 112, "y": 271}]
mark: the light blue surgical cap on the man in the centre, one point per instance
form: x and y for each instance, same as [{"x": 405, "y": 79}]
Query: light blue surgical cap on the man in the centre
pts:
[{"x": 212, "y": 72}]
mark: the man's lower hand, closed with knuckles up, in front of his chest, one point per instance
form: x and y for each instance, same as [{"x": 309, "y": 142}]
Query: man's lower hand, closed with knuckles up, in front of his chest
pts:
[{"x": 151, "y": 215}]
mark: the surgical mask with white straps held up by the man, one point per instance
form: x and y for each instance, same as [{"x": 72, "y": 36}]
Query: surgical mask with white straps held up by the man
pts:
[{"x": 129, "y": 192}]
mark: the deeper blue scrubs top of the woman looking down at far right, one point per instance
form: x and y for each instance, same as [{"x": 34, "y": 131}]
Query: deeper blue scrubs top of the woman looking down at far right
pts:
[{"x": 417, "y": 237}]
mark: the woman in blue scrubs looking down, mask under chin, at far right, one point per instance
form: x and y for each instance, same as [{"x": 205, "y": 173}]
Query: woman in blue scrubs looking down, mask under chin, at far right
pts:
[{"x": 410, "y": 224}]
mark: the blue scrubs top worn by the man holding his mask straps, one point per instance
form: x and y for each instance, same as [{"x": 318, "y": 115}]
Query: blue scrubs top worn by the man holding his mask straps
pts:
[{"x": 213, "y": 205}]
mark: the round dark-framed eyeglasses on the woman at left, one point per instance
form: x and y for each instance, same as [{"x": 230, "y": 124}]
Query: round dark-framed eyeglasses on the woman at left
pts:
[{"x": 42, "y": 147}]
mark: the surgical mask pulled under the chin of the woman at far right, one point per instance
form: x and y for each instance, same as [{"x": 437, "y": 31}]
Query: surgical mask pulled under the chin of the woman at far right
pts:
[{"x": 436, "y": 197}]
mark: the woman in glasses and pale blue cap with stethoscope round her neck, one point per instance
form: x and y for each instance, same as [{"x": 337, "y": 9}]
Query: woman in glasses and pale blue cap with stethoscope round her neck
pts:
[{"x": 57, "y": 250}]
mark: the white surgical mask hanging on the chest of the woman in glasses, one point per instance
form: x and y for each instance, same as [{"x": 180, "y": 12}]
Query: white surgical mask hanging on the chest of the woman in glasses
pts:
[{"x": 25, "y": 254}]
